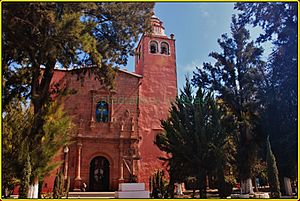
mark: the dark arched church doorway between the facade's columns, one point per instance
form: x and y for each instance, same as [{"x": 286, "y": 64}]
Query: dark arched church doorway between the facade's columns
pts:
[{"x": 99, "y": 174}]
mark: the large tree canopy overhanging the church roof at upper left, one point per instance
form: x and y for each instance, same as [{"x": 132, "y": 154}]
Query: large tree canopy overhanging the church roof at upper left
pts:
[{"x": 45, "y": 34}]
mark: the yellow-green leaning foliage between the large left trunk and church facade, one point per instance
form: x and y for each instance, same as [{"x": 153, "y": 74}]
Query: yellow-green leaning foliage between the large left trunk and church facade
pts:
[{"x": 59, "y": 130}]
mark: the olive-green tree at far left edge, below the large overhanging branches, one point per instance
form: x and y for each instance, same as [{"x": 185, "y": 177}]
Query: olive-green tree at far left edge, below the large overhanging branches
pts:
[{"x": 16, "y": 161}]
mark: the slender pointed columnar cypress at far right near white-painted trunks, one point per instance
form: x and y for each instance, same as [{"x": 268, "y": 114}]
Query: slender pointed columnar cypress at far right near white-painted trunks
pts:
[{"x": 272, "y": 172}]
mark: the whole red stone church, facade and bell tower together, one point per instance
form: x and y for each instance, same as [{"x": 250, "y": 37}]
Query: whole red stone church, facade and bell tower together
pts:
[{"x": 118, "y": 141}]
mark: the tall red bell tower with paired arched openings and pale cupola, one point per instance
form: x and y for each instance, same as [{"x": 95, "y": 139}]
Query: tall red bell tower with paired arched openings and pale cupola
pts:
[{"x": 155, "y": 60}]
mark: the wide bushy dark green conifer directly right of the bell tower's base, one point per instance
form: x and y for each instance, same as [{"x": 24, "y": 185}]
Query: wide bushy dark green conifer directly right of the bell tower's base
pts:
[{"x": 194, "y": 138}]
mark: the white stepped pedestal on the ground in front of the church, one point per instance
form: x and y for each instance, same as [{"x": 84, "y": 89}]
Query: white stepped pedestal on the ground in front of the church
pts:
[{"x": 132, "y": 190}]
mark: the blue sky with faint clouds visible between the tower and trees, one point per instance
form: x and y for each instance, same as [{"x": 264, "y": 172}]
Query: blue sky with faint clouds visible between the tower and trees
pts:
[{"x": 196, "y": 27}]
